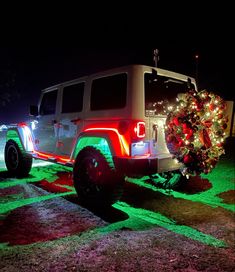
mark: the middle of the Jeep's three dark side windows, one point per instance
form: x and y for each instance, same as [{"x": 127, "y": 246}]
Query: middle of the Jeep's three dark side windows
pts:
[{"x": 73, "y": 98}]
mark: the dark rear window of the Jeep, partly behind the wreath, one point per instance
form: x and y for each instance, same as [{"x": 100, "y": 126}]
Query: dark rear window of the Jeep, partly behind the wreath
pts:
[{"x": 161, "y": 92}]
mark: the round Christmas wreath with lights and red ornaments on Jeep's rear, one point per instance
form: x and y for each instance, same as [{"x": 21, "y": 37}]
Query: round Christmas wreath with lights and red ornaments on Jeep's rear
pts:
[{"x": 195, "y": 131}]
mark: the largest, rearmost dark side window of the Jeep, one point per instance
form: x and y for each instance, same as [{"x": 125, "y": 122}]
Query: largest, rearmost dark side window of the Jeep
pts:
[{"x": 109, "y": 92}]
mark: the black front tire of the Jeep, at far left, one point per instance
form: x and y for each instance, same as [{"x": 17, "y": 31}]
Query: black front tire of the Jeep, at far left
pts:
[{"x": 17, "y": 161}]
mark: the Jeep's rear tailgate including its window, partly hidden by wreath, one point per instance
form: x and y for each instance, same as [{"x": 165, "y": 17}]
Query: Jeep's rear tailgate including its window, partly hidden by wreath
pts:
[{"x": 160, "y": 95}]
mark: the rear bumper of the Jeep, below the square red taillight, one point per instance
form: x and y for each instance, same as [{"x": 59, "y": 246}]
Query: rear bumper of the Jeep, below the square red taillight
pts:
[{"x": 147, "y": 166}]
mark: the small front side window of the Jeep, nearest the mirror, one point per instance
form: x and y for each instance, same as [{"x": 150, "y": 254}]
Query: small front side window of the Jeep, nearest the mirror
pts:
[{"x": 48, "y": 104}]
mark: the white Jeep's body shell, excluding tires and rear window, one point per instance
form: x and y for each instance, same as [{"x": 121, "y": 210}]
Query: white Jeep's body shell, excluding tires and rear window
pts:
[{"x": 106, "y": 110}]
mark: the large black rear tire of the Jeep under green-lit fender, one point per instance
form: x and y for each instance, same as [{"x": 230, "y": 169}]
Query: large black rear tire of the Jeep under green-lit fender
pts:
[{"x": 95, "y": 179}]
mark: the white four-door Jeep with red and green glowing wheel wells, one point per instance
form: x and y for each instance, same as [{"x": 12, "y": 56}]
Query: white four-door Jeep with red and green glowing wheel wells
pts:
[{"x": 106, "y": 126}]
